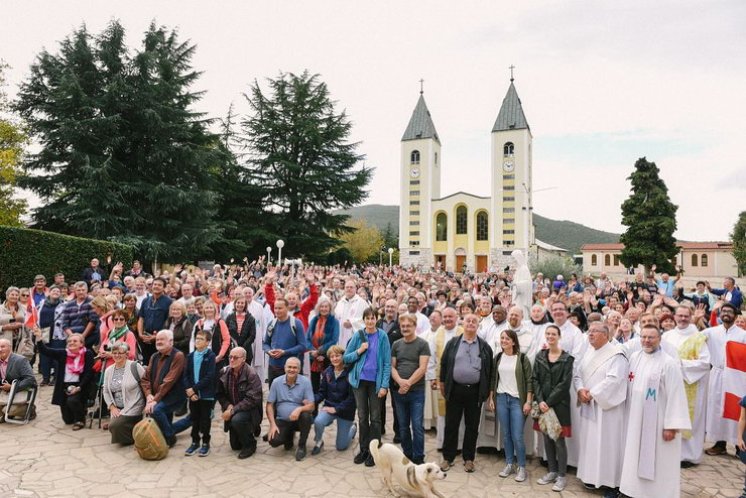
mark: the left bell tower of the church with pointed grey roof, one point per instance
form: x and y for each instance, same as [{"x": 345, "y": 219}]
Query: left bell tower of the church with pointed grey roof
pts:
[{"x": 419, "y": 180}]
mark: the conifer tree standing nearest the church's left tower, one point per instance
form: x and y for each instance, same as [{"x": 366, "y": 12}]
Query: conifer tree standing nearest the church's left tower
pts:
[{"x": 302, "y": 163}]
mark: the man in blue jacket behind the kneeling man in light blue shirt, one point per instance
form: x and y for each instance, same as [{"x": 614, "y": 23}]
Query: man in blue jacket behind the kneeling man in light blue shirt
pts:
[{"x": 285, "y": 338}]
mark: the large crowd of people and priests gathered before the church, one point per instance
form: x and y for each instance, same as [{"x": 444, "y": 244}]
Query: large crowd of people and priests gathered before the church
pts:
[{"x": 622, "y": 380}]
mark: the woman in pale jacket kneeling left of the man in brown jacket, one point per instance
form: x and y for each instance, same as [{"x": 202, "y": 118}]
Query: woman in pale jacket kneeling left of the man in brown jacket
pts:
[{"x": 122, "y": 393}]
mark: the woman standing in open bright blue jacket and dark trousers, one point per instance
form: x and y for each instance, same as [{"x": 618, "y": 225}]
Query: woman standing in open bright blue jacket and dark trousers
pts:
[{"x": 369, "y": 354}]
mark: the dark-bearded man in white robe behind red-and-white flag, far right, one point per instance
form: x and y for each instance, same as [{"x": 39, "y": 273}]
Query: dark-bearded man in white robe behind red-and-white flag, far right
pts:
[{"x": 718, "y": 428}]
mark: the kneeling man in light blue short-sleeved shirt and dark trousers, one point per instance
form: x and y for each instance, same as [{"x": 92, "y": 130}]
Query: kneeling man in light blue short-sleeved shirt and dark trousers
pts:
[{"x": 290, "y": 408}]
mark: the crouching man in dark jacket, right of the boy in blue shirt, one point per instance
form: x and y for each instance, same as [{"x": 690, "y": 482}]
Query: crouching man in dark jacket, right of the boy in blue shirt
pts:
[{"x": 240, "y": 396}]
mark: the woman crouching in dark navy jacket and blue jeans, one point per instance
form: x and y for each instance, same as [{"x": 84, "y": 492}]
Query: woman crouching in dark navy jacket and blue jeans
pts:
[{"x": 339, "y": 403}]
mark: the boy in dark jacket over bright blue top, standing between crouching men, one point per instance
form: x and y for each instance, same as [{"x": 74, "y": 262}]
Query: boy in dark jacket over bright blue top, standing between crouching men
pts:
[{"x": 200, "y": 380}]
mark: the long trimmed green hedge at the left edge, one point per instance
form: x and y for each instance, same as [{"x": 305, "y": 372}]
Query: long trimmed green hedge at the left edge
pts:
[{"x": 25, "y": 253}]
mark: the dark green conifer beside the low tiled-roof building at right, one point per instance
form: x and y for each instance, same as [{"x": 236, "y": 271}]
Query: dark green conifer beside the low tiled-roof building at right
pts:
[{"x": 650, "y": 218}]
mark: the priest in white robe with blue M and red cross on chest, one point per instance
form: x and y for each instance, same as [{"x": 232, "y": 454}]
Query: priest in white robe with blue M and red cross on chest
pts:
[{"x": 656, "y": 413}]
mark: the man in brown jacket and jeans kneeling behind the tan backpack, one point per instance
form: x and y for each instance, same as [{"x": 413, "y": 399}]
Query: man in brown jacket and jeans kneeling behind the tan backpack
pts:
[{"x": 163, "y": 384}]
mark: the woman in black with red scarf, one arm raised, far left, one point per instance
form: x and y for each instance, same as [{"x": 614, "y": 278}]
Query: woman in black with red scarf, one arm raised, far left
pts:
[{"x": 73, "y": 382}]
